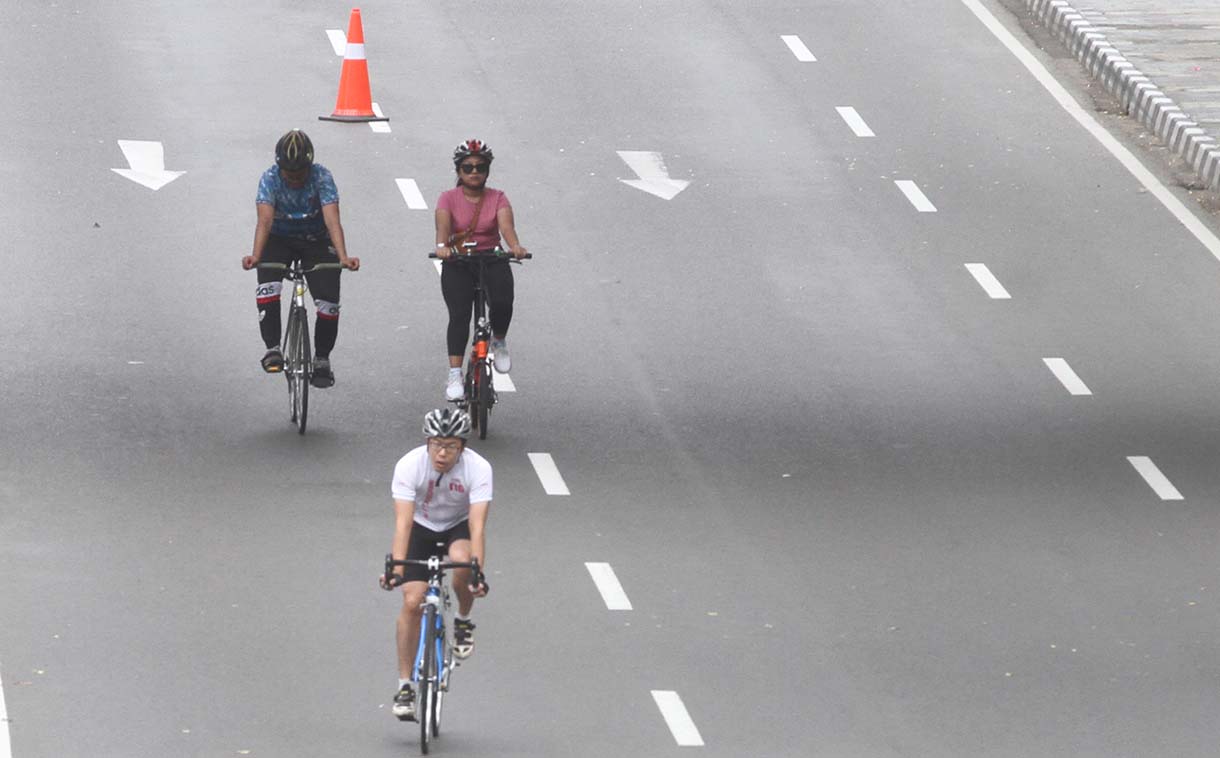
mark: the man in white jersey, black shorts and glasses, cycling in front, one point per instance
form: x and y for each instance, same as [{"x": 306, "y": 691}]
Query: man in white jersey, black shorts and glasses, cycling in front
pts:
[{"x": 442, "y": 493}]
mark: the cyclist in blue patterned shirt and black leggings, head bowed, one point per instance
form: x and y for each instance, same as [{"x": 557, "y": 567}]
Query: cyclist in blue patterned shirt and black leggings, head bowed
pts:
[{"x": 298, "y": 208}]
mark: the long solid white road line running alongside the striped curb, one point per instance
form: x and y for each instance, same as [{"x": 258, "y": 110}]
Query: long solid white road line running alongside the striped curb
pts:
[{"x": 1083, "y": 118}]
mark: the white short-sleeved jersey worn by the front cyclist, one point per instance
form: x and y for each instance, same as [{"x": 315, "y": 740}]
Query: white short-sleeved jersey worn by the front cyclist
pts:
[{"x": 442, "y": 501}]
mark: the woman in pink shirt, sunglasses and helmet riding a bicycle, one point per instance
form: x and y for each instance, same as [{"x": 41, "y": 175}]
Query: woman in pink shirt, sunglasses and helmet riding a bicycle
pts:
[{"x": 472, "y": 212}]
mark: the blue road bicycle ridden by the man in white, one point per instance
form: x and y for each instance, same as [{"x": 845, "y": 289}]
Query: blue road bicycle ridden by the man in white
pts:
[{"x": 435, "y": 657}]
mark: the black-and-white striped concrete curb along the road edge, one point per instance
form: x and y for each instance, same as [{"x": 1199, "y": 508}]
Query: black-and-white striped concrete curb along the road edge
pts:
[{"x": 1140, "y": 97}]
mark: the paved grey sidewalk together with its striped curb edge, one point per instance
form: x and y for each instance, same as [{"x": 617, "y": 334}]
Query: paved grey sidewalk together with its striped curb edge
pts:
[{"x": 1160, "y": 58}]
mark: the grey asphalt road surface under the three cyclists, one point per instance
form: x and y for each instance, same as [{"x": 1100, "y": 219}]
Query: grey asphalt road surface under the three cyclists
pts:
[{"x": 855, "y": 511}]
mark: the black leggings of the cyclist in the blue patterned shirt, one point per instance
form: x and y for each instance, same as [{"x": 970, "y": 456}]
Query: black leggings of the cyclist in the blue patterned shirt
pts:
[{"x": 323, "y": 285}]
